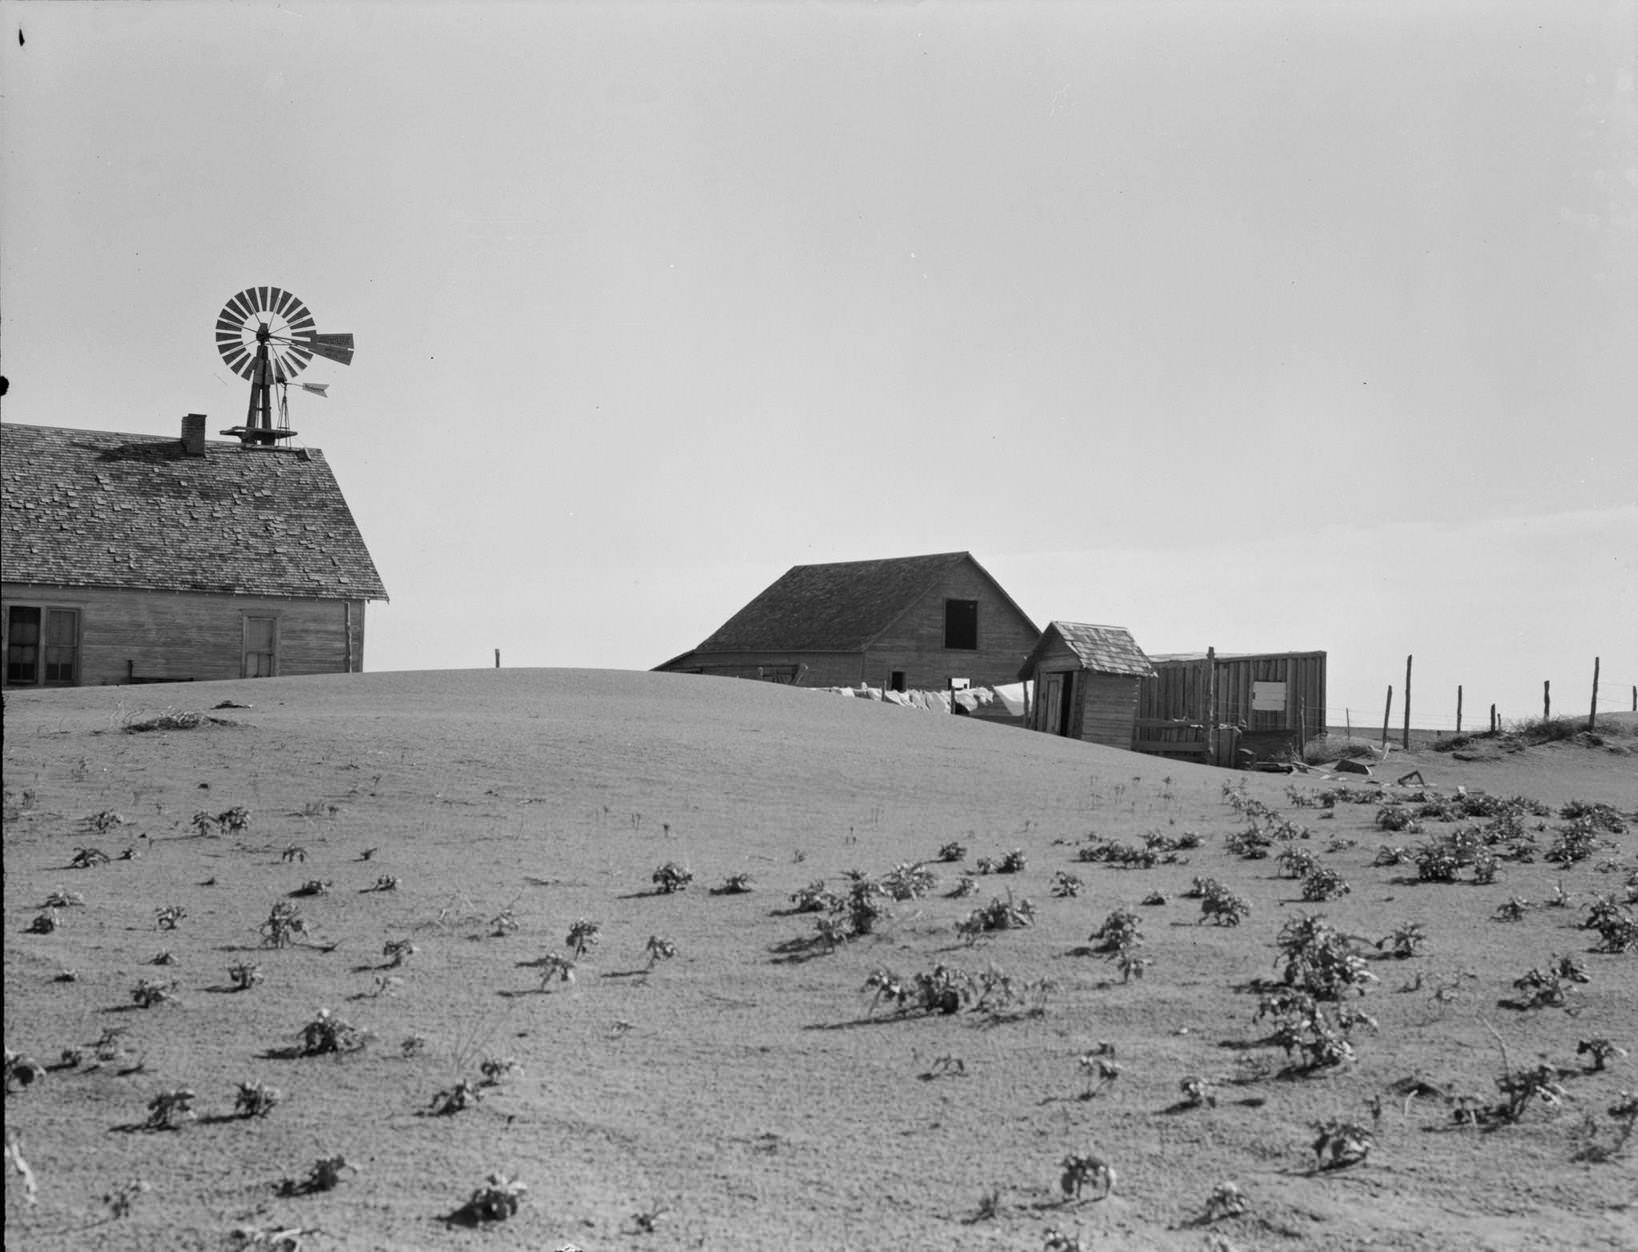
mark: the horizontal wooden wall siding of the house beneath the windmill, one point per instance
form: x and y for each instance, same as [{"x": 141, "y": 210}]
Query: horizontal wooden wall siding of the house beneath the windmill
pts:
[{"x": 197, "y": 637}]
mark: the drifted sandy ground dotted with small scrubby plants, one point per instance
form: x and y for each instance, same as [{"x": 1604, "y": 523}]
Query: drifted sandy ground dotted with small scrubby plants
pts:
[{"x": 744, "y": 1094}]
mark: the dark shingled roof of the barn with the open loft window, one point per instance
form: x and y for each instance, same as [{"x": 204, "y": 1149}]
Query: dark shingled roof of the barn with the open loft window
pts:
[{"x": 839, "y": 607}]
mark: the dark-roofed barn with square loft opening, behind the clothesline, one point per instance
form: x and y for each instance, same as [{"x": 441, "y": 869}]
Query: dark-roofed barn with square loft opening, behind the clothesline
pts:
[{"x": 900, "y": 624}]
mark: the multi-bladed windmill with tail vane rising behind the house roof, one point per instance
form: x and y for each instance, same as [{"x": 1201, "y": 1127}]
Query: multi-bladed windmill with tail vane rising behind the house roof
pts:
[{"x": 266, "y": 335}]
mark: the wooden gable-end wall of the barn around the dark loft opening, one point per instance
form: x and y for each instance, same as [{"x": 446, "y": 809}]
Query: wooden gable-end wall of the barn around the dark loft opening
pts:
[{"x": 915, "y": 642}]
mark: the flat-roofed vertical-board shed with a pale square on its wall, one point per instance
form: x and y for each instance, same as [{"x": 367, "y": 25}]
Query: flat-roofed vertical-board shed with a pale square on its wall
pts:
[{"x": 1233, "y": 709}]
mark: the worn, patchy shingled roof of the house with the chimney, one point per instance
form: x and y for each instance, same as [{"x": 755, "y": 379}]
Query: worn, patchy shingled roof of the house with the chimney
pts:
[{"x": 97, "y": 509}]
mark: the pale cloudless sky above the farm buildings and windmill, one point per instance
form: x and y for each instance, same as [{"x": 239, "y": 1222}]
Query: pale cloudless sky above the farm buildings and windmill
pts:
[{"x": 1244, "y": 325}]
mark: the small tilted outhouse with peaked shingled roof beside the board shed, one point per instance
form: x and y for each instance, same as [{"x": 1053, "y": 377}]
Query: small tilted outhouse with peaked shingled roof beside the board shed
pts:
[{"x": 1087, "y": 683}]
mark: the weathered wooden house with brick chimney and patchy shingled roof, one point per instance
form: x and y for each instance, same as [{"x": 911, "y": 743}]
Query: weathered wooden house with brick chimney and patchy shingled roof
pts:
[{"x": 130, "y": 558}]
